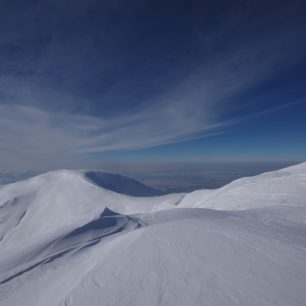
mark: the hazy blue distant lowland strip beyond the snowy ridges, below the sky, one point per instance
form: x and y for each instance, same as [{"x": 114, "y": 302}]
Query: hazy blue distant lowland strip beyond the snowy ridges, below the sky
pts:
[{"x": 174, "y": 176}]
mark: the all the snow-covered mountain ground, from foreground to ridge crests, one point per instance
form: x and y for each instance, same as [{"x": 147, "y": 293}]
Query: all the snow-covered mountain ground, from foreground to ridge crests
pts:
[{"x": 91, "y": 238}]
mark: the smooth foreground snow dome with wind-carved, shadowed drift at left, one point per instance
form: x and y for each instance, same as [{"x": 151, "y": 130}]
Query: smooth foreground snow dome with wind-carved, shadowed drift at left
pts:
[{"x": 174, "y": 257}]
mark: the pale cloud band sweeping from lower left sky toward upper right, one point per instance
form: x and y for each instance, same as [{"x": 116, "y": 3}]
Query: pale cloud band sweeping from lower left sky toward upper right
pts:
[{"x": 31, "y": 135}]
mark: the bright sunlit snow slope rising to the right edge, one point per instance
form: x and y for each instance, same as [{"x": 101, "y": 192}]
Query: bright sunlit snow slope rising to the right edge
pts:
[{"x": 281, "y": 187}]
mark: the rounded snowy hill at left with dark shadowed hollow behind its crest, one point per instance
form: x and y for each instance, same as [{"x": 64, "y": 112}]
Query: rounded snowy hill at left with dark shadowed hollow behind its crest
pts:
[{"x": 58, "y": 199}]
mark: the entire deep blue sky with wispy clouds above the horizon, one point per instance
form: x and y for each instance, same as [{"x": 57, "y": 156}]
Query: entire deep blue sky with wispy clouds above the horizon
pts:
[{"x": 86, "y": 83}]
